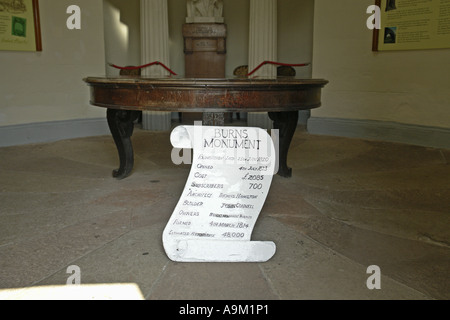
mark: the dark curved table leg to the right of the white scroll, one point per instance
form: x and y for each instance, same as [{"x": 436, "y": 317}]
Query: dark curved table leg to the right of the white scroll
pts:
[{"x": 286, "y": 123}]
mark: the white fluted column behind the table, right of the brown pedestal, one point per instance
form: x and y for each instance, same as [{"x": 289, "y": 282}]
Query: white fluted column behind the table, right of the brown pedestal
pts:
[{"x": 262, "y": 47}]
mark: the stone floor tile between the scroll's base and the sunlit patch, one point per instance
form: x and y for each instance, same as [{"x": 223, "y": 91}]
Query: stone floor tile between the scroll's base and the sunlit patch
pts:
[{"x": 136, "y": 257}]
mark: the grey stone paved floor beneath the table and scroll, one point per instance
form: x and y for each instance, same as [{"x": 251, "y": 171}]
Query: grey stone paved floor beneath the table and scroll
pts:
[{"x": 350, "y": 204}]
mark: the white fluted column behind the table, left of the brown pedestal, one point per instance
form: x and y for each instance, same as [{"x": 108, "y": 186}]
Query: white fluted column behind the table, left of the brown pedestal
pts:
[{"x": 155, "y": 47}]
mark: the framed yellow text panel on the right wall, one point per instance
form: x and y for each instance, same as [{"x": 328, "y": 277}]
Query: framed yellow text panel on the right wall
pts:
[{"x": 413, "y": 25}]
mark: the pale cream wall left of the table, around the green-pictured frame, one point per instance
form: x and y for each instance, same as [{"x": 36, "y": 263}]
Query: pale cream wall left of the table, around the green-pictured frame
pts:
[{"x": 47, "y": 86}]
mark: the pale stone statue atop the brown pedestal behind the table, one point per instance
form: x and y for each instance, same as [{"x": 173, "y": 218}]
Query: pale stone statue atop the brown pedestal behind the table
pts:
[{"x": 204, "y": 11}]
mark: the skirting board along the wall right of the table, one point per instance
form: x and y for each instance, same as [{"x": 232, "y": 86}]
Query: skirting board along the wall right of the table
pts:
[{"x": 379, "y": 130}]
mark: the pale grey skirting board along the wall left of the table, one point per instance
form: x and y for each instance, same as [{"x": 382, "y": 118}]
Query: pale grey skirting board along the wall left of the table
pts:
[{"x": 42, "y": 132}]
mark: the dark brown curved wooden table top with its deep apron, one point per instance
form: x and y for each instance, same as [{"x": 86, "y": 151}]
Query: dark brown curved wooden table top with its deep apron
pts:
[{"x": 176, "y": 94}]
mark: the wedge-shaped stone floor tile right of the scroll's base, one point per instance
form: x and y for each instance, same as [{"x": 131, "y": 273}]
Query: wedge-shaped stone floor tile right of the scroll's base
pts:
[{"x": 304, "y": 269}]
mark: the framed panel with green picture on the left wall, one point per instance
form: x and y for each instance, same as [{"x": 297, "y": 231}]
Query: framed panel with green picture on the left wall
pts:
[{"x": 20, "y": 26}]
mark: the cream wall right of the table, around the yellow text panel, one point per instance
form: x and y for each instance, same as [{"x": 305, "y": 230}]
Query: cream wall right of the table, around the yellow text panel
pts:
[{"x": 410, "y": 87}]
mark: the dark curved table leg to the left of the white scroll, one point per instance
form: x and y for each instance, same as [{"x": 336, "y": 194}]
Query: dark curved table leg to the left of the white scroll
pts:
[{"x": 121, "y": 125}]
